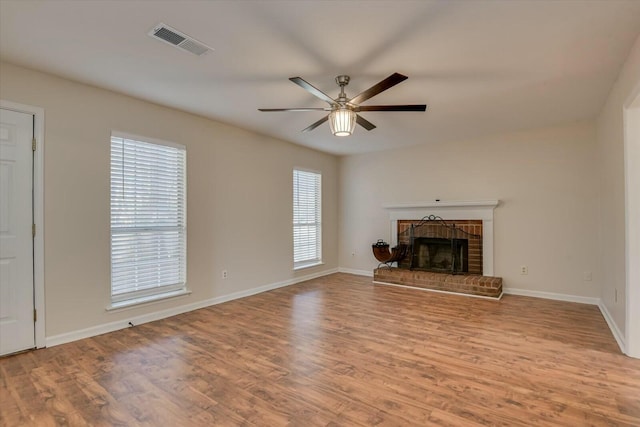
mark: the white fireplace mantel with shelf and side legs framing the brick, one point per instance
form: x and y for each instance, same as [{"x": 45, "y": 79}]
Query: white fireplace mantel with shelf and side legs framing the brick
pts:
[{"x": 450, "y": 210}]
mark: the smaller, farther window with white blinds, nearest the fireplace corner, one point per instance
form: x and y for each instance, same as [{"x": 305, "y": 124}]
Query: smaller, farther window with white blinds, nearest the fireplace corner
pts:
[{"x": 307, "y": 223}]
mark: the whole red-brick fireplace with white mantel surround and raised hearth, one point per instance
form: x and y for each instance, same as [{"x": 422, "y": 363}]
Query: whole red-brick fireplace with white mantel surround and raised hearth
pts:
[{"x": 471, "y": 248}]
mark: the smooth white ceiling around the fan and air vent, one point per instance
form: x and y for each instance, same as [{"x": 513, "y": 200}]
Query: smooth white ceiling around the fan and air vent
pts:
[{"x": 482, "y": 67}]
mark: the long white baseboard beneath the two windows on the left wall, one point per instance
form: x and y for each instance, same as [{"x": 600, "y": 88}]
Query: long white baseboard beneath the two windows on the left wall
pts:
[{"x": 162, "y": 314}]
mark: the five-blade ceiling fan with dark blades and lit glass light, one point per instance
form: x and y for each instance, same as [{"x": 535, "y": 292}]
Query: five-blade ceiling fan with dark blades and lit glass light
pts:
[{"x": 343, "y": 112}]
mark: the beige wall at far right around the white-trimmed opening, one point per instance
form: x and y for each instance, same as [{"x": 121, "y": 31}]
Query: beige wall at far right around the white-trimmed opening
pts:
[{"x": 610, "y": 134}]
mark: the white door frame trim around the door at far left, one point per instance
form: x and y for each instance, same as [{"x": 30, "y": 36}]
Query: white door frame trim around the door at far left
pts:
[{"x": 38, "y": 212}]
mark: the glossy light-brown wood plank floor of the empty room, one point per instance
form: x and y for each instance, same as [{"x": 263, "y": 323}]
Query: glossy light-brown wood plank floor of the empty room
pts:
[{"x": 336, "y": 351}]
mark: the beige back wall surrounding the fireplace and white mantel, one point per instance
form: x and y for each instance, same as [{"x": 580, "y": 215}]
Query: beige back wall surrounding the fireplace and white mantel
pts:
[{"x": 546, "y": 181}]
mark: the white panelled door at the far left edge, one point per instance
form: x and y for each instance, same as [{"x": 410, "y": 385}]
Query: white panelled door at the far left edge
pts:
[{"x": 16, "y": 236}]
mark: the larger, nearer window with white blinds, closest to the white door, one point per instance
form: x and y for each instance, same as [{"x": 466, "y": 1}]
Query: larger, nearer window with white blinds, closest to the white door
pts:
[{"x": 148, "y": 220}]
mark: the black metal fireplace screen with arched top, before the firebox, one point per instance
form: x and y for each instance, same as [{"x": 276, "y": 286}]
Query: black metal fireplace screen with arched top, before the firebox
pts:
[{"x": 438, "y": 246}]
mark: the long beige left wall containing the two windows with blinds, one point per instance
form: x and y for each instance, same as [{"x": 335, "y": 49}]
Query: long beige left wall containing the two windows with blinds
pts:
[{"x": 239, "y": 198}]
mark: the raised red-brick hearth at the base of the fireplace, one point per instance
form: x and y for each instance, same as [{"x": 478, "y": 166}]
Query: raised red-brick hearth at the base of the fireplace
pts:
[{"x": 465, "y": 284}]
